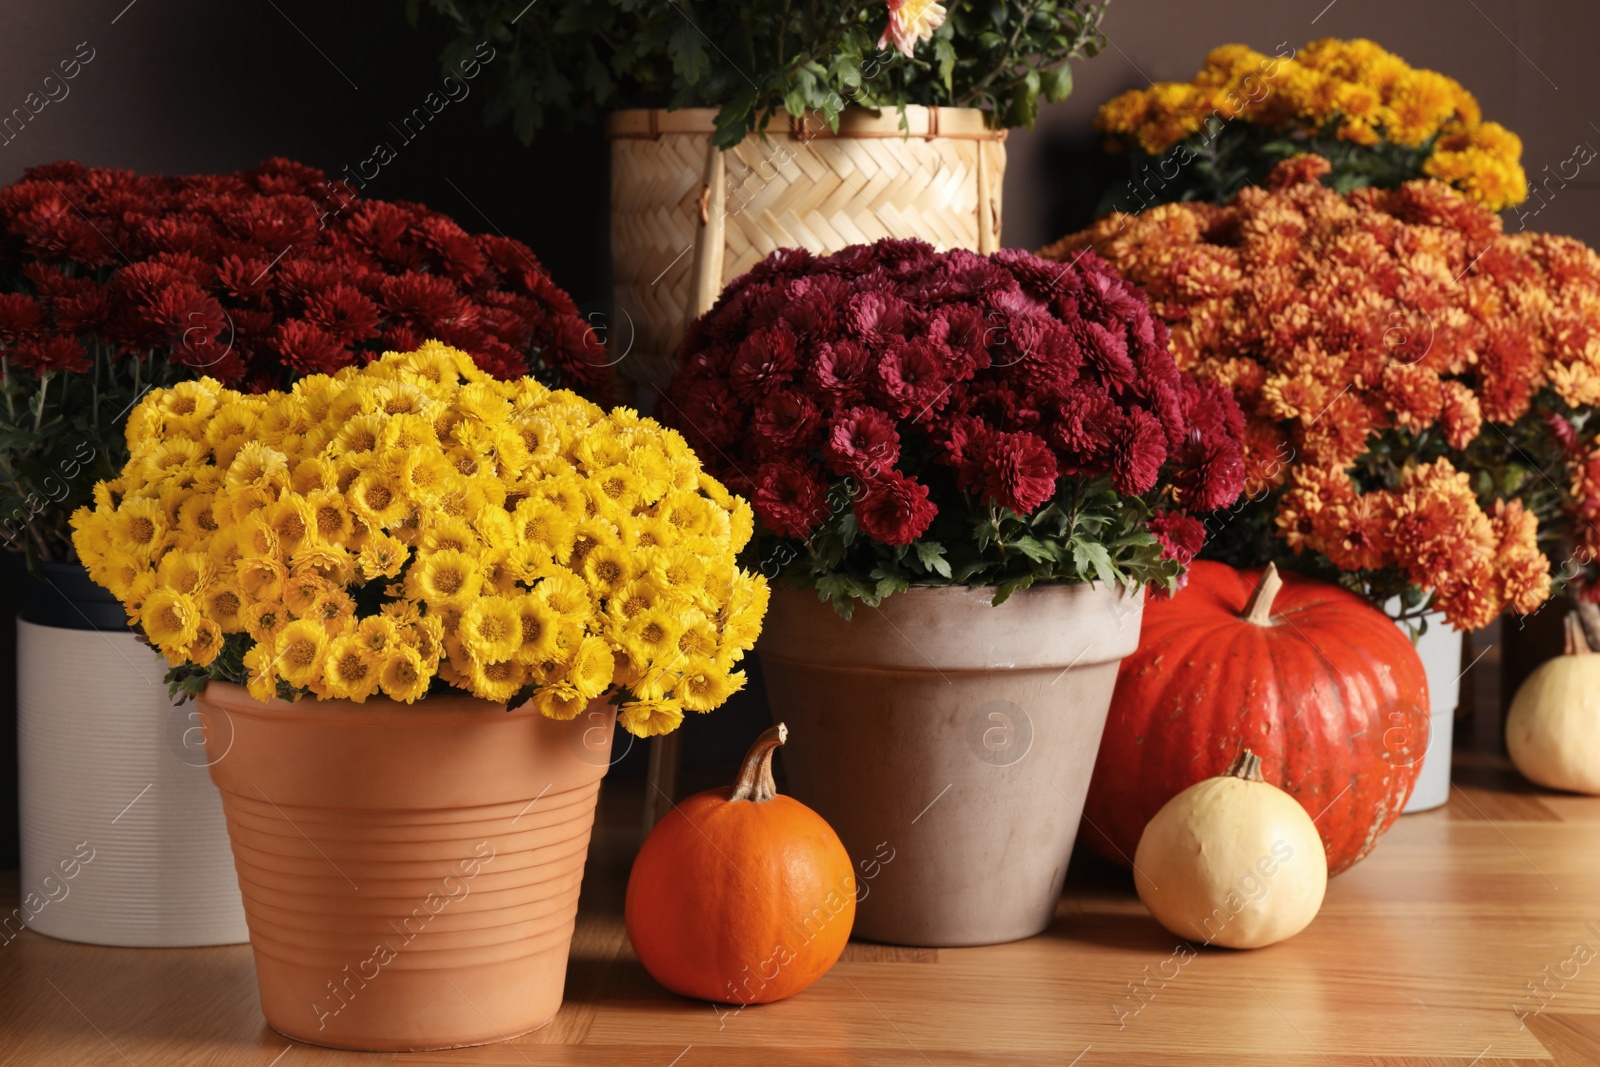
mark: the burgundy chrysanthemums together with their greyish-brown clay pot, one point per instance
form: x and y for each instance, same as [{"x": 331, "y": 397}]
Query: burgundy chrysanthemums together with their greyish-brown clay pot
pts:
[{"x": 966, "y": 473}]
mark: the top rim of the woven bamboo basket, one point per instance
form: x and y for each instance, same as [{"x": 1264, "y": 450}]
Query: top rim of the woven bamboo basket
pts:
[{"x": 964, "y": 124}]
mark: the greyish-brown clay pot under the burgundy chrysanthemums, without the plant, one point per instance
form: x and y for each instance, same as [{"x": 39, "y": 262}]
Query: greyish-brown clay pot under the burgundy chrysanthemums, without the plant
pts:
[{"x": 950, "y": 743}]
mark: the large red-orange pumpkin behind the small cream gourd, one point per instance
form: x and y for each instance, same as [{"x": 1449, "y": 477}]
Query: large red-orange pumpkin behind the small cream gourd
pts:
[{"x": 1310, "y": 676}]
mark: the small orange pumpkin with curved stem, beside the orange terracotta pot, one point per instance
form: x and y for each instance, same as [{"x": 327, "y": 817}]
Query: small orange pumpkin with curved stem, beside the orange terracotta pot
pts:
[{"x": 740, "y": 895}]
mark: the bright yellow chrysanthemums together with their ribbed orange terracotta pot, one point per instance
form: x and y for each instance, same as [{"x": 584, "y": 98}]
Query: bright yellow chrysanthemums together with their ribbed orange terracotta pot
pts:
[{"x": 412, "y": 601}]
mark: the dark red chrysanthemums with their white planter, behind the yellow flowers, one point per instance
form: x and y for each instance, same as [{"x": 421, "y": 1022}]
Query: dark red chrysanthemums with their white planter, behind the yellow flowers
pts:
[{"x": 114, "y": 284}]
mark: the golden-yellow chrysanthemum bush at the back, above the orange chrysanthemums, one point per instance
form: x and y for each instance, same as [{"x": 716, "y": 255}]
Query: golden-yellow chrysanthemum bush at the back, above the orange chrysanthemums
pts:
[{"x": 1374, "y": 118}]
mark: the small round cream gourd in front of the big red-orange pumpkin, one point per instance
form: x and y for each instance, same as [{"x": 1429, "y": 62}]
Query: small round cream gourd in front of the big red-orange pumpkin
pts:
[{"x": 1233, "y": 861}]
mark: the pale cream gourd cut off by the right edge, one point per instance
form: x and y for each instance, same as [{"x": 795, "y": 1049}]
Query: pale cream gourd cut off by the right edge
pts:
[{"x": 1553, "y": 730}]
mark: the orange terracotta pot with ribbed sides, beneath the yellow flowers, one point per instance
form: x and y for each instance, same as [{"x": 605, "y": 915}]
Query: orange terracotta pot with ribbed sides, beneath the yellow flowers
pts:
[{"x": 410, "y": 873}]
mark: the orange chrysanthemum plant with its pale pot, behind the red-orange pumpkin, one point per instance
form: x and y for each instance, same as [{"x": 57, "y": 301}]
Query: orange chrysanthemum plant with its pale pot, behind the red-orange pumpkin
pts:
[{"x": 1420, "y": 391}]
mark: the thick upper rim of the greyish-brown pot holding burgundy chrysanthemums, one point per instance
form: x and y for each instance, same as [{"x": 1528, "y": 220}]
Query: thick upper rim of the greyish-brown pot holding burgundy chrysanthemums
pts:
[{"x": 958, "y": 628}]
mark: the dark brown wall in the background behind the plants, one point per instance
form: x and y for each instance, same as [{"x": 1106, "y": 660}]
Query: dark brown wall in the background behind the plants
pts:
[{"x": 191, "y": 87}]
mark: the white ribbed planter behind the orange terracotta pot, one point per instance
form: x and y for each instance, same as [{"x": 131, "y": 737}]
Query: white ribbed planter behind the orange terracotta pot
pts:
[{"x": 124, "y": 841}]
